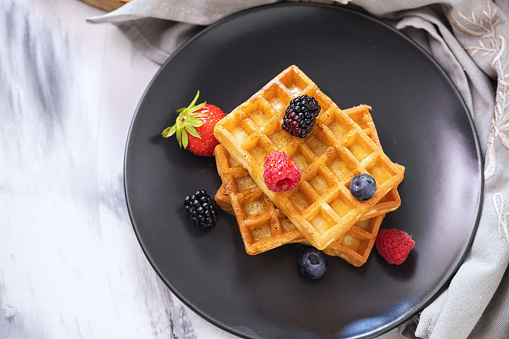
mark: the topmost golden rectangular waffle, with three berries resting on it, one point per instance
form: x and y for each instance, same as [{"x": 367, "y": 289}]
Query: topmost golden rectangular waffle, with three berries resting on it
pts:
[{"x": 336, "y": 150}]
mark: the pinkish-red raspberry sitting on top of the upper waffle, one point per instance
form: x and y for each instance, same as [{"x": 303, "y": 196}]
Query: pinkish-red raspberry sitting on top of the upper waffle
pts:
[{"x": 280, "y": 173}]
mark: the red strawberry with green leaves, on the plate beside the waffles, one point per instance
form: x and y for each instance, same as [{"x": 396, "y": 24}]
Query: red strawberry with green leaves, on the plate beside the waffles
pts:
[{"x": 195, "y": 127}]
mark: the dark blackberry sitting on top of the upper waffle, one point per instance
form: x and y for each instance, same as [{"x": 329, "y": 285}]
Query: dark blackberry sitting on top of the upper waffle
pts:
[{"x": 300, "y": 116}]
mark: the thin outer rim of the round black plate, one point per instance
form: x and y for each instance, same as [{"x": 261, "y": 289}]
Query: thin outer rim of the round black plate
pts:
[{"x": 355, "y": 11}]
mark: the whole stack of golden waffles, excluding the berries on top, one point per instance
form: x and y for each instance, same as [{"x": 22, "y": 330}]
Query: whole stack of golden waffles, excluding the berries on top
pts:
[{"x": 321, "y": 211}]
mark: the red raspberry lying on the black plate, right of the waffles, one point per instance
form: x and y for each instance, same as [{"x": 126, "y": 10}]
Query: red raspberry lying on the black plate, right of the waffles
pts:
[{"x": 394, "y": 245}]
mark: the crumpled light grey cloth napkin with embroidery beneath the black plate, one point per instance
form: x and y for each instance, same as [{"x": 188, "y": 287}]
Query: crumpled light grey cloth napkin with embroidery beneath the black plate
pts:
[{"x": 469, "y": 40}]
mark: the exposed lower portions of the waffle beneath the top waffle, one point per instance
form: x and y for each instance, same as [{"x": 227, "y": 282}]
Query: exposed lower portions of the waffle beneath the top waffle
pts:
[{"x": 268, "y": 228}]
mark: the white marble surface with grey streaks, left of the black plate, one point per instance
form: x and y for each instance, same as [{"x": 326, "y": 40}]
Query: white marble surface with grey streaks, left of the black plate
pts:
[{"x": 70, "y": 264}]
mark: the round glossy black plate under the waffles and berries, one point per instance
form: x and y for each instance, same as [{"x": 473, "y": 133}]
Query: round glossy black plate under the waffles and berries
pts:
[{"x": 423, "y": 124}]
